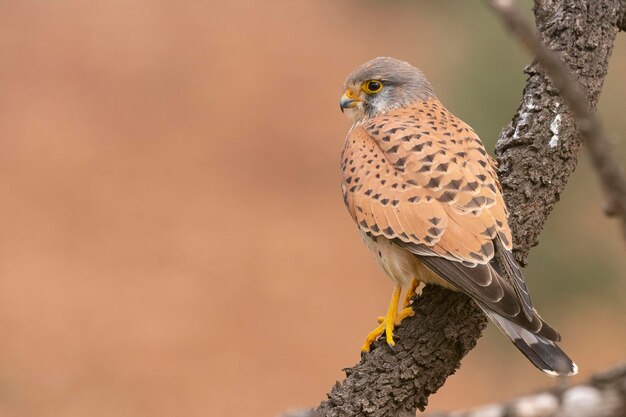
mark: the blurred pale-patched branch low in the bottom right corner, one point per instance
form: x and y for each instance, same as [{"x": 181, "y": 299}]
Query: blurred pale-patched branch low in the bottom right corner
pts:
[{"x": 604, "y": 395}]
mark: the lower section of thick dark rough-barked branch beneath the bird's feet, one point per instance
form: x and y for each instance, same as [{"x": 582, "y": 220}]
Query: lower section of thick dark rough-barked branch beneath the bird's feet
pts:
[{"x": 389, "y": 382}]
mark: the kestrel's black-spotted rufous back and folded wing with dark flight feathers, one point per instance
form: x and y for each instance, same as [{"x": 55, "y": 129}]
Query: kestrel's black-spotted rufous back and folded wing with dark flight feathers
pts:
[{"x": 421, "y": 177}]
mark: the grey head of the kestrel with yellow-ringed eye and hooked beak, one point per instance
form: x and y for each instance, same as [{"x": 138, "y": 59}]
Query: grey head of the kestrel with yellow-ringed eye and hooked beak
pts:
[{"x": 380, "y": 85}]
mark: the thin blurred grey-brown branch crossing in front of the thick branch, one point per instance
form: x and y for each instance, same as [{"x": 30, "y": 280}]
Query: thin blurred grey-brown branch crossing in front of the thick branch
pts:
[{"x": 611, "y": 174}]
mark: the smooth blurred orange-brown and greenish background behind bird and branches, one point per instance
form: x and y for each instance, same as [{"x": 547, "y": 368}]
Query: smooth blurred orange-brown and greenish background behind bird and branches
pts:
[{"x": 173, "y": 237}]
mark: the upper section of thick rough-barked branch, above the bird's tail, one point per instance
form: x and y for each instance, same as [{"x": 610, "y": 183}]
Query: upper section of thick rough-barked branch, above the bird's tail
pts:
[{"x": 539, "y": 149}]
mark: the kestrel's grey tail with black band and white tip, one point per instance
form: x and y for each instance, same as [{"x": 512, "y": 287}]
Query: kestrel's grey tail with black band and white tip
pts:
[{"x": 541, "y": 351}]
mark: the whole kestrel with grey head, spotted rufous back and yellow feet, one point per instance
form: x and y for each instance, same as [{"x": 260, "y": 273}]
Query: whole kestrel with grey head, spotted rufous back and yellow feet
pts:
[{"x": 424, "y": 194}]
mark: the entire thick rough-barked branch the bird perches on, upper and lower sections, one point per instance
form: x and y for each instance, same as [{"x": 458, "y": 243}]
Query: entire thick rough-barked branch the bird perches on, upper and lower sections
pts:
[{"x": 430, "y": 345}]
